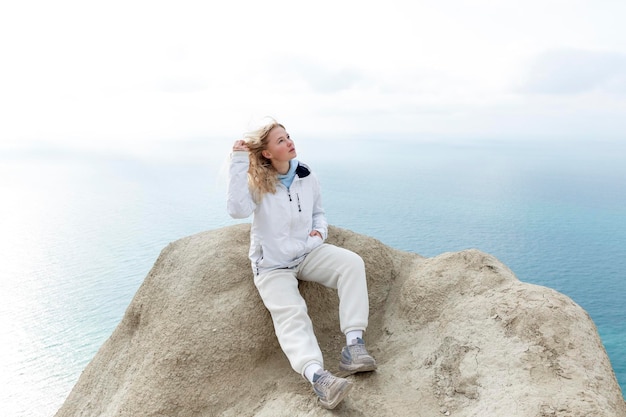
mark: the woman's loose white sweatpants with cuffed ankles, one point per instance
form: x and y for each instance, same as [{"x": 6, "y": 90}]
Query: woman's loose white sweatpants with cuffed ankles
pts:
[{"x": 330, "y": 266}]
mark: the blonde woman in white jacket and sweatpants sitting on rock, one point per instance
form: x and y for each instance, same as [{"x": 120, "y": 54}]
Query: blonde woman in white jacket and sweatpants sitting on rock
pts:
[{"x": 286, "y": 244}]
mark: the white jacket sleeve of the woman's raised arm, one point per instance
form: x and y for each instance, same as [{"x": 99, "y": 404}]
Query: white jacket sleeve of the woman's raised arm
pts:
[{"x": 240, "y": 203}]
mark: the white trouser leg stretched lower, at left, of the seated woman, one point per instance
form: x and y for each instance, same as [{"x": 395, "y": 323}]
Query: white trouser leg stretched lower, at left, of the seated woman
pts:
[{"x": 293, "y": 327}]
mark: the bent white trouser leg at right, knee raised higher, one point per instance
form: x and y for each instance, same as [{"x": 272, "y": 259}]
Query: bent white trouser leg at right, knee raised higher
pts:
[{"x": 343, "y": 270}]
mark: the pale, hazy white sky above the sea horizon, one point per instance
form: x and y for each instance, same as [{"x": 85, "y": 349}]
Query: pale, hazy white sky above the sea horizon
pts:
[{"x": 133, "y": 74}]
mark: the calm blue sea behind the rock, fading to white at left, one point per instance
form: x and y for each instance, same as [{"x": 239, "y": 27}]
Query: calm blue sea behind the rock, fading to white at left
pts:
[{"x": 82, "y": 227}]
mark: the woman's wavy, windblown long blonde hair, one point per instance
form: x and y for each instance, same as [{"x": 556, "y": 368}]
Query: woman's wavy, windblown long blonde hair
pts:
[{"x": 262, "y": 176}]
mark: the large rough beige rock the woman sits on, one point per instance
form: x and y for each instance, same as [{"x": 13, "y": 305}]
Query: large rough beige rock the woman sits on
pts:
[{"x": 455, "y": 335}]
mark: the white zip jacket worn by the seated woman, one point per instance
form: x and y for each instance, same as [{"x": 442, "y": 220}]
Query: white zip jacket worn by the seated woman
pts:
[{"x": 282, "y": 222}]
